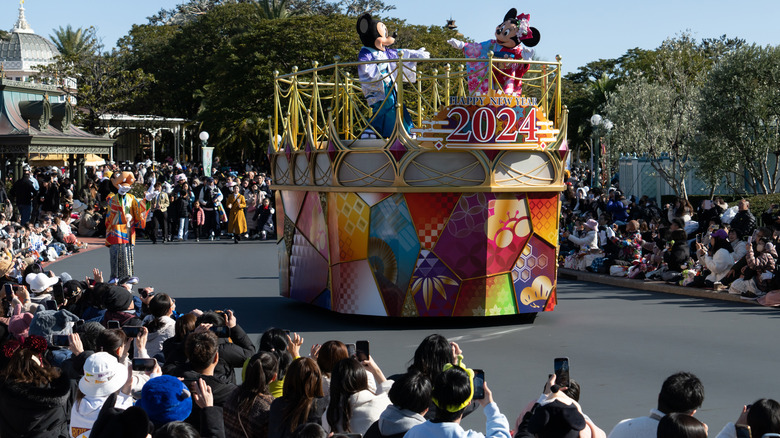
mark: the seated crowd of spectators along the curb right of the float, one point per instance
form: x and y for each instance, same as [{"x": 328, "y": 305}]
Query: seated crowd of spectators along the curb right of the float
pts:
[{"x": 711, "y": 245}]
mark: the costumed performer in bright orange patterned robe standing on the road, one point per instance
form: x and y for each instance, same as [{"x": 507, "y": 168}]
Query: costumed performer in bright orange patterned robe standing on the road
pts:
[{"x": 125, "y": 214}]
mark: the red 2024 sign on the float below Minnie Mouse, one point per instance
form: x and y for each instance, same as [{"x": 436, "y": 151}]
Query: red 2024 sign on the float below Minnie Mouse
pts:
[{"x": 480, "y": 125}]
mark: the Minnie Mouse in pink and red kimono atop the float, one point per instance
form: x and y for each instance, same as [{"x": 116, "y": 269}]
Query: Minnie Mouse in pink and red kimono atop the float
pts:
[{"x": 514, "y": 37}]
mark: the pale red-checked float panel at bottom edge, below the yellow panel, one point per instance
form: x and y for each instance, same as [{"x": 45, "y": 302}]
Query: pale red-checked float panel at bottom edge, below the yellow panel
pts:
[{"x": 354, "y": 289}]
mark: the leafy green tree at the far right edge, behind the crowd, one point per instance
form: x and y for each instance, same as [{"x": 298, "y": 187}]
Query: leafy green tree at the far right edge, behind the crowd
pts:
[{"x": 740, "y": 118}]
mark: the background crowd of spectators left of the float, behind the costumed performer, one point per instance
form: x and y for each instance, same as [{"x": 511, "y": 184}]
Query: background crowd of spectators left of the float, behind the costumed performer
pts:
[{"x": 44, "y": 216}]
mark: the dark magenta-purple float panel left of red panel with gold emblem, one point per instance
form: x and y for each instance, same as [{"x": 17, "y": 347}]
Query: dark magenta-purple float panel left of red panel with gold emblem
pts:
[{"x": 462, "y": 245}]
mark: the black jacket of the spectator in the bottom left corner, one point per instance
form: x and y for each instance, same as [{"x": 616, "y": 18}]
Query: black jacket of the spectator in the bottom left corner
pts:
[{"x": 30, "y": 411}]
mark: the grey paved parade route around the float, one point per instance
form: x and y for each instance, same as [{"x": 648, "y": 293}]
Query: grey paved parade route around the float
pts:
[{"x": 621, "y": 342}]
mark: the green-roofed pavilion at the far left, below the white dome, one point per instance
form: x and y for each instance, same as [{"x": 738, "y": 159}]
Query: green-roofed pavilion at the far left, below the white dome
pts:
[{"x": 37, "y": 119}]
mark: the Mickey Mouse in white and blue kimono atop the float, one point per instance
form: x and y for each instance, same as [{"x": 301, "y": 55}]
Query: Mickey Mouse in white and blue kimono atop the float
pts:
[{"x": 378, "y": 78}]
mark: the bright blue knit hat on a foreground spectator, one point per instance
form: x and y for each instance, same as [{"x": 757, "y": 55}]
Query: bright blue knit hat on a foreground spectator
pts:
[{"x": 165, "y": 399}]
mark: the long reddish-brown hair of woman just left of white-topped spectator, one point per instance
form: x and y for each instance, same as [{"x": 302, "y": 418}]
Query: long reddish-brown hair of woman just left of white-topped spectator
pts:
[{"x": 302, "y": 385}]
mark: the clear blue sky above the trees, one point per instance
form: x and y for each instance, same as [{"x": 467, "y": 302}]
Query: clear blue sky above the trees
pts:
[{"x": 580, "y": 31}]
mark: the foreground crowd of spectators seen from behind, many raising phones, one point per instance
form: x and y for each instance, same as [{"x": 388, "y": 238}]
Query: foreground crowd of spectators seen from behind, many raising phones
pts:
[{"x": 92, "y": 359}]
